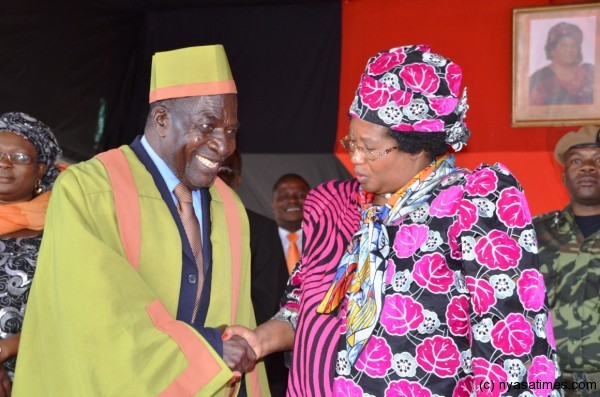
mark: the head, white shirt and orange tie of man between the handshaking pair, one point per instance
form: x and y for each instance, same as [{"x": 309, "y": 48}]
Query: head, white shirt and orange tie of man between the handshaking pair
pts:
[{"x": 289, "y": 193}]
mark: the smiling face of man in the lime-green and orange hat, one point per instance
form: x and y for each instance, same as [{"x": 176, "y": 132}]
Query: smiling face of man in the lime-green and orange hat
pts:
[{"x": 198, "y": 136}]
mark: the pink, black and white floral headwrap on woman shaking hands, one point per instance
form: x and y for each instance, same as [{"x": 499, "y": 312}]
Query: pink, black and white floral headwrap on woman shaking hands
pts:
[{"x": 412, "y": 89}]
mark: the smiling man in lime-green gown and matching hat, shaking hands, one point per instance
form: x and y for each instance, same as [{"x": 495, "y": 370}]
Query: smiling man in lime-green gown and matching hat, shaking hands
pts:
[{"x": 145, "y": 256}]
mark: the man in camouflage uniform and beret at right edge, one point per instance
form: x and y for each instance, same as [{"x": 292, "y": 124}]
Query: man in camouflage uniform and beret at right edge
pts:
[{"x": 569, "y": 252}]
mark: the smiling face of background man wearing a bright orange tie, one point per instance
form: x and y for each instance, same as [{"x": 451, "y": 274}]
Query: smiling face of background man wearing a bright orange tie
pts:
[{"x": 288, "y": 203}]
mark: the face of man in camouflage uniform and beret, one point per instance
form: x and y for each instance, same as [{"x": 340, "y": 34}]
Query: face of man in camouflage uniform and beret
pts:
[{"x": 582, "y": 175}]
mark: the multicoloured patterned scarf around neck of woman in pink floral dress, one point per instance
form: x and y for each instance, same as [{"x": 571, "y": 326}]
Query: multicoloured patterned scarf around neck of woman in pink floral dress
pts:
[{"x": 360, "y": 274}]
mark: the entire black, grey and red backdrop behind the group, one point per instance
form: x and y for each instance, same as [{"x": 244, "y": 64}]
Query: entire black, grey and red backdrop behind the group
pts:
[{"x": 83, "y": 68}]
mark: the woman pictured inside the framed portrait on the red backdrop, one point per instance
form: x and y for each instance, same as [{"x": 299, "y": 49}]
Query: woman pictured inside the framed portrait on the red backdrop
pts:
[{"x": 566, "y": 81}]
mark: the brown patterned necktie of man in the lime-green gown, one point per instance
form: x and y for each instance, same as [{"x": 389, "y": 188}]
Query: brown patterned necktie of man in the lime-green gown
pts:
[{"x": 192, "y": 230}]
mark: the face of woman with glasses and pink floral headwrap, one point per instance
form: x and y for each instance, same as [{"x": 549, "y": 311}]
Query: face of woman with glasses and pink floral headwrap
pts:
[{"x": 386, "y": 174}]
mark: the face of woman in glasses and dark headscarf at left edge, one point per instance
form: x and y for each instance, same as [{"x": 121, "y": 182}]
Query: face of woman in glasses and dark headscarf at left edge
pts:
[{"x": 17, "y": 181}]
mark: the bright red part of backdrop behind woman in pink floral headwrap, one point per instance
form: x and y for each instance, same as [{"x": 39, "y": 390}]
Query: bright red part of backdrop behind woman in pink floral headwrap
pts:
[{"x": 477, "y": 36}]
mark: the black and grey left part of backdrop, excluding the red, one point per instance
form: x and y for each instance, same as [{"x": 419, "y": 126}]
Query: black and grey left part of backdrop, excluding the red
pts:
[{"x": 84, "y": 69}]
